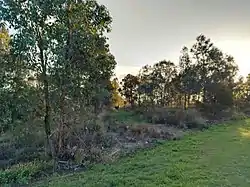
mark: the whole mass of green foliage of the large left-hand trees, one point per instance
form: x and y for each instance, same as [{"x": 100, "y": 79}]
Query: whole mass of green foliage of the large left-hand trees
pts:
[{"x": 59, "y": 62}]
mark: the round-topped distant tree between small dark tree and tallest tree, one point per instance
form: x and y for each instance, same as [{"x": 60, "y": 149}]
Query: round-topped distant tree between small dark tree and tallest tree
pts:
[{"x": 157, "y": 83}]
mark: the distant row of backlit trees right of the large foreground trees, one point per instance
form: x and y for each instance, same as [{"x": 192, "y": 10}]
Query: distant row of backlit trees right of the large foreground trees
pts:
[{"x": 205, "y": 77}]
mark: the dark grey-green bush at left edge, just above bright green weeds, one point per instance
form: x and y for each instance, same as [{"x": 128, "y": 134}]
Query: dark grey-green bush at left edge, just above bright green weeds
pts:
[{"x": 21, "y": 145}]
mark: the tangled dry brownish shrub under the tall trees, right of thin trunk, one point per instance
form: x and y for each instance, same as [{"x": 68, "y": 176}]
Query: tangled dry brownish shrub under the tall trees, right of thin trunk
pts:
[{"x": 84, "y": 138}]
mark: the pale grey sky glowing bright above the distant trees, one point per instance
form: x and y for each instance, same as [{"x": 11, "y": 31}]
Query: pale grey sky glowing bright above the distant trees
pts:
[{"x": 147, "y": 31}]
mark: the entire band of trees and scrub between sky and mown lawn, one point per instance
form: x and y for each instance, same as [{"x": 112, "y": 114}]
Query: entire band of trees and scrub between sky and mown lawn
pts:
[{"x": 61, "y": 110}]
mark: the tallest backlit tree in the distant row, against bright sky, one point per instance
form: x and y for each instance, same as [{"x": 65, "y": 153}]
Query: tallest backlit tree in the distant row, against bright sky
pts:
[{"x": 216, "y": 71}]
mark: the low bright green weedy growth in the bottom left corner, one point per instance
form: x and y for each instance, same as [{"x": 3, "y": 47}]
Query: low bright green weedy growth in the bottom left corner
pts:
[{"x": 23, "y": 173}]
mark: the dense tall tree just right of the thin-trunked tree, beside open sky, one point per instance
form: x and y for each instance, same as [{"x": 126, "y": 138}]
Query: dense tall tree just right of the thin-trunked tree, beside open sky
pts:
[{"x": 85, "y": 65}]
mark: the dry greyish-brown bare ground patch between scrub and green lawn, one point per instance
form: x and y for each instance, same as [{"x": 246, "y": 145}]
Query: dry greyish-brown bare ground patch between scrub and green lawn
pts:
[{"x": 130, "y": 138}]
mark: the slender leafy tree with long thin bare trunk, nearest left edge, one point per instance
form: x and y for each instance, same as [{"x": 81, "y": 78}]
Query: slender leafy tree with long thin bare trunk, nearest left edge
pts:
[{"x": 32, "y": 42}]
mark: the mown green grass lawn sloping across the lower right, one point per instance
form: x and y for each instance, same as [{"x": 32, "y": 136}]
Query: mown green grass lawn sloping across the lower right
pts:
[{"x": 219, "y": 156}]
